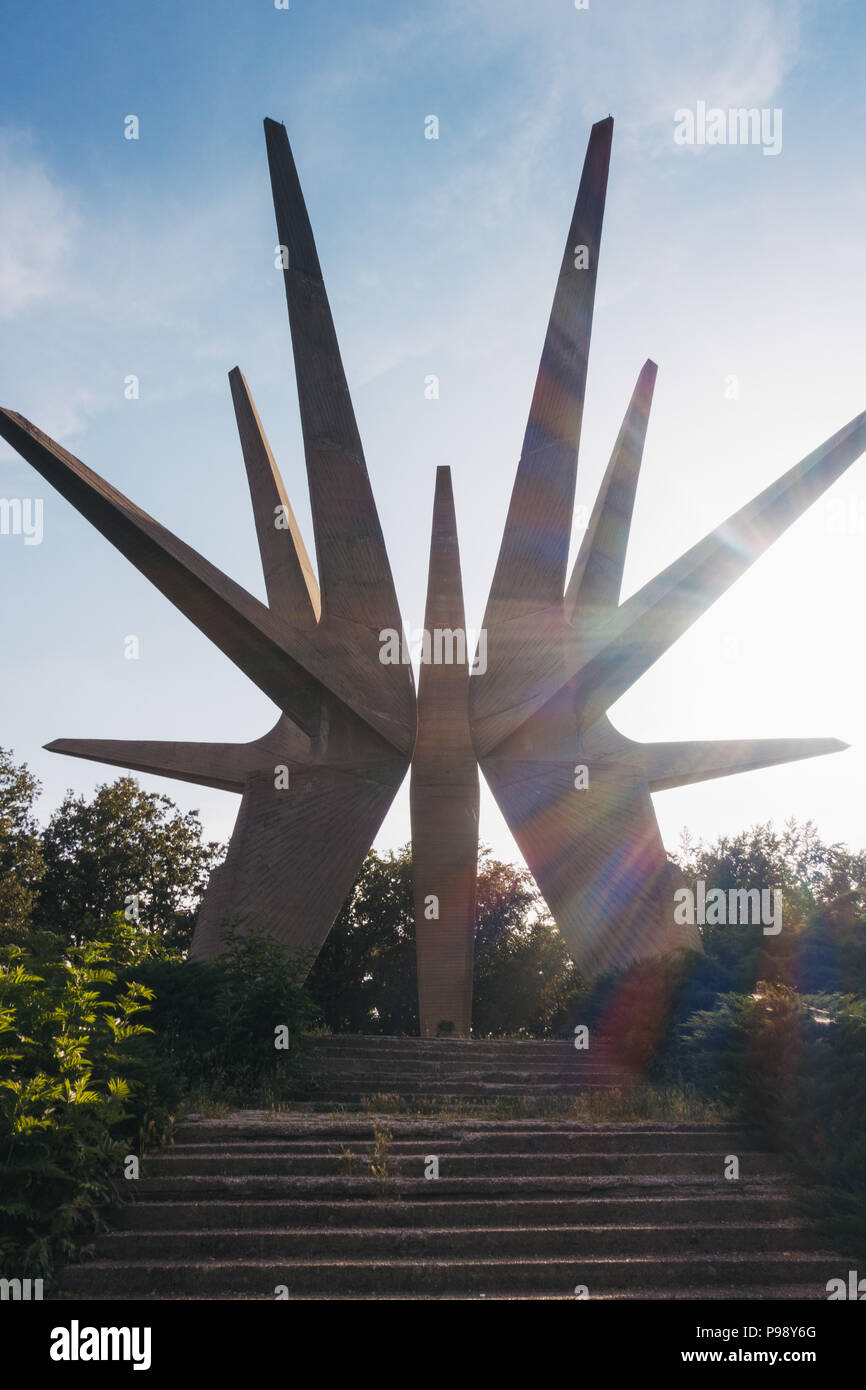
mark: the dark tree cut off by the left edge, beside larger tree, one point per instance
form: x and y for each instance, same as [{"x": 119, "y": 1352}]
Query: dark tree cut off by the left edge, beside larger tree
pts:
[{"x": 22, "y": 862}]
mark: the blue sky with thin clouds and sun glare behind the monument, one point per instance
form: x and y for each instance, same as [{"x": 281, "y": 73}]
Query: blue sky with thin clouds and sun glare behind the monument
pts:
[{"x": 743, "y": 275}]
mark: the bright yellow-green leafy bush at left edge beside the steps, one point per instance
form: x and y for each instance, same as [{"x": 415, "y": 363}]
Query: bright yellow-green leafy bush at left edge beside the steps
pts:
[{"x": 69, "y": 1039}]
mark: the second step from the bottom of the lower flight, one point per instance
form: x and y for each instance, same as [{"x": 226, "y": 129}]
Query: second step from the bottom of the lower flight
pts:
[{"x": 457, "y": 1242}]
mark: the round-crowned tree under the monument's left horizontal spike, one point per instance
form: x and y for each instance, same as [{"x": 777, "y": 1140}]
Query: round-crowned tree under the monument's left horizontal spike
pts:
[{"x": 124, "y": 851}]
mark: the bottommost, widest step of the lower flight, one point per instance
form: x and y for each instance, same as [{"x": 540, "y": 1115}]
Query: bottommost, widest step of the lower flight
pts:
[{"x": 539, "y": 1277}]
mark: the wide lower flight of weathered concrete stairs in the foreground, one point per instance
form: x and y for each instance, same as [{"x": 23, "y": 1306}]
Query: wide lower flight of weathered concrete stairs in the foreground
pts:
[{"x": 521, "y": 1210}]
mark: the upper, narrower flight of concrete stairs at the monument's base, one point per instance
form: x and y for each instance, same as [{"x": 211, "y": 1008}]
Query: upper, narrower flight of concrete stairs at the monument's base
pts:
[{"x": 347, "y": 1070}]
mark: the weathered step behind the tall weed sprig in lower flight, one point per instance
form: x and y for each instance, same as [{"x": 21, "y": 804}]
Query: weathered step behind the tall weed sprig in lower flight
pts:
[{"x": 459, "y": 1164}]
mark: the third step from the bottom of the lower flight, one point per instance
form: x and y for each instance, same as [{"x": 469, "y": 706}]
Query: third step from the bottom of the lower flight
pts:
[{"x": 718, "y": 1209}]
